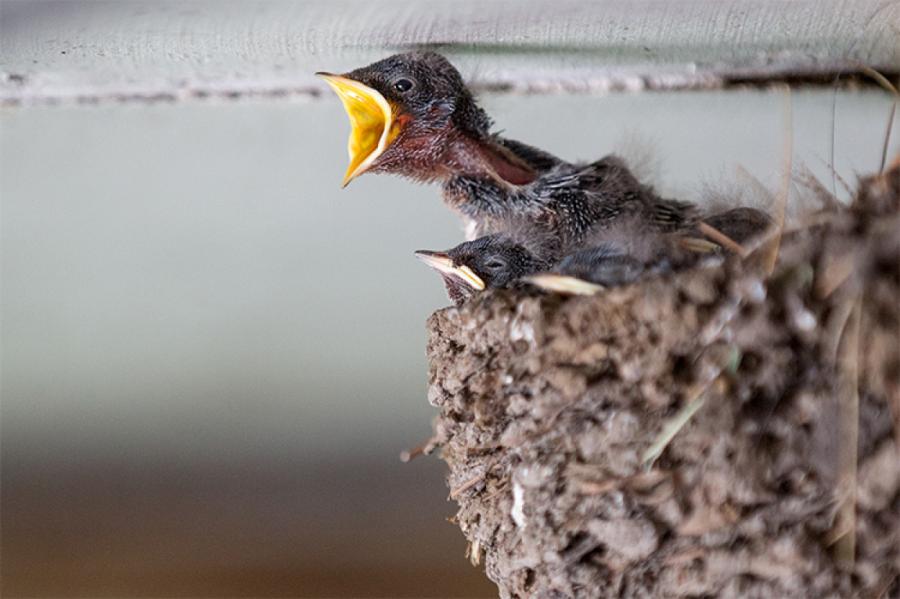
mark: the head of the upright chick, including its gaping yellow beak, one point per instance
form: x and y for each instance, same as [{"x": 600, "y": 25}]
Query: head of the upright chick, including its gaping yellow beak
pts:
[{"x": 402, "y": 109}]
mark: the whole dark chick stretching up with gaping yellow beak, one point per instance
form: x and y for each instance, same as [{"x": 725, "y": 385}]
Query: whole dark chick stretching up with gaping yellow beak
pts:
[{"x": 412, "y": 115}]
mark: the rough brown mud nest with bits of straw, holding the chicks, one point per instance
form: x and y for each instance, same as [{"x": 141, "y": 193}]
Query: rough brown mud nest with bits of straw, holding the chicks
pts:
[{"x": 721, "y": 432}]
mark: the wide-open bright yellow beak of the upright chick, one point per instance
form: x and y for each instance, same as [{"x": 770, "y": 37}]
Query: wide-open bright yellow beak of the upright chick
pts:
[{"x": 372, "y": 125}]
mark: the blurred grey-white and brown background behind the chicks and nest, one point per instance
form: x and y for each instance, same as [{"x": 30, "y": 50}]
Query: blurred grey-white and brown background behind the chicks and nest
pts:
[{"x": 212, "y": 356}]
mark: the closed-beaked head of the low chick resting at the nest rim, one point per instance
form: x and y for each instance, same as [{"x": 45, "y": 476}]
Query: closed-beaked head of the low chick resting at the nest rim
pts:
[{"x": 489, "y": 262}]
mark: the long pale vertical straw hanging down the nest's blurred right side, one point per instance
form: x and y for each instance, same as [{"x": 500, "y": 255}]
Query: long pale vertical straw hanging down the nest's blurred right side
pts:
[{"x": 848, "y": 362}]
